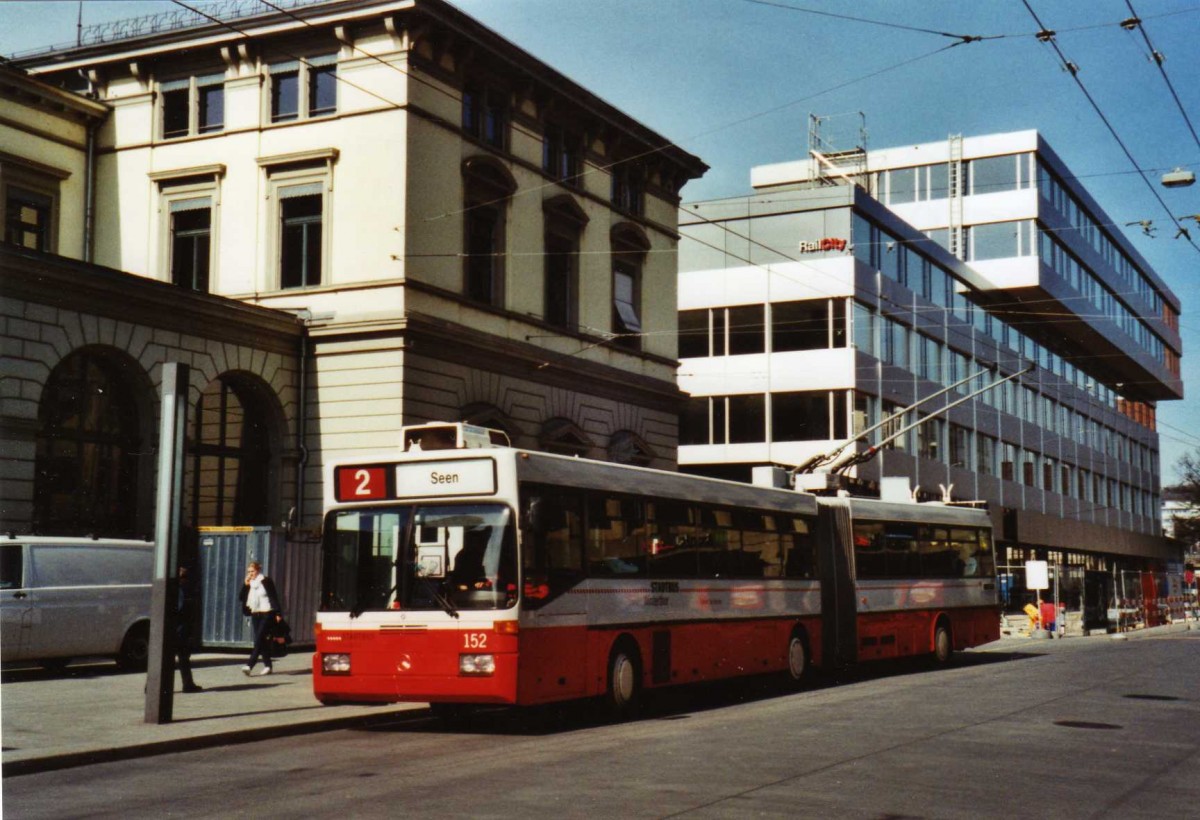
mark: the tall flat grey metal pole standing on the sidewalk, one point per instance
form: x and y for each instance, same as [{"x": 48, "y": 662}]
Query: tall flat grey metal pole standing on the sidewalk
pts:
[{"x": 161, "y": 667}]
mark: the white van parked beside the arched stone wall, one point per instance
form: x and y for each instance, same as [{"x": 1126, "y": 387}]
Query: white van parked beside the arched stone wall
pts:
[{"x": 63, "y": 598}]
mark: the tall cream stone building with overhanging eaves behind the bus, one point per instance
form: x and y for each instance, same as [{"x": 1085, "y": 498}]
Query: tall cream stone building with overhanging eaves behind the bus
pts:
[{"x": 459, "y": 231}]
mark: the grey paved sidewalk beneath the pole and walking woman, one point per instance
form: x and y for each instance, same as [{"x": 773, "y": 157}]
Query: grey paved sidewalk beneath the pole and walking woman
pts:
[{"x": 94, "y": 714}]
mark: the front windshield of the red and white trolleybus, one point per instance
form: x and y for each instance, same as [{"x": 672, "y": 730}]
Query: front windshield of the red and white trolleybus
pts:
[{"x": 445, "y": 558}]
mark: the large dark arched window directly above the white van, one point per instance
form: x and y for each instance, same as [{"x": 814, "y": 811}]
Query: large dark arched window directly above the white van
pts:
[{"x": 88, "y": 445}]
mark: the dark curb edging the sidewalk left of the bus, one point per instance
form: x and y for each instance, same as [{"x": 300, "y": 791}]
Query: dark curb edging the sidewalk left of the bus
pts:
[{"x": 71, "y": 759}]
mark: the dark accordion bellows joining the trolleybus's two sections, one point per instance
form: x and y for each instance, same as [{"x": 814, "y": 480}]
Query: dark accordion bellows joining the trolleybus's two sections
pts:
[{"x": 839, "y": 609}]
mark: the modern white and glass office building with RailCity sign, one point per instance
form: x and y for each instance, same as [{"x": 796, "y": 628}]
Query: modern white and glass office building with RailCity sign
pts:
[{"x": 812, "y": 312}]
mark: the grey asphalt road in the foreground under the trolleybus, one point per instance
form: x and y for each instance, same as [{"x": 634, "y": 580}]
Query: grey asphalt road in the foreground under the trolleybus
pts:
[{"x": 1093, "y": 728}]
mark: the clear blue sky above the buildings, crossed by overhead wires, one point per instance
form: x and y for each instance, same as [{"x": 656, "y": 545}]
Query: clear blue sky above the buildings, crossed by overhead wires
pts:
[{"x": 735, "y": 82}]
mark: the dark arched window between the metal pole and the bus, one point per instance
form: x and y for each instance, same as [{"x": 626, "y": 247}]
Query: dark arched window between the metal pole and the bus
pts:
[{"x": 230, "y": 450}]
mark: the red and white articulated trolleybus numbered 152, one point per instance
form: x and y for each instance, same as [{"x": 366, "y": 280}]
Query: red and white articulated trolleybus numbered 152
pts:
[{"x": 485, "y": 574}]
